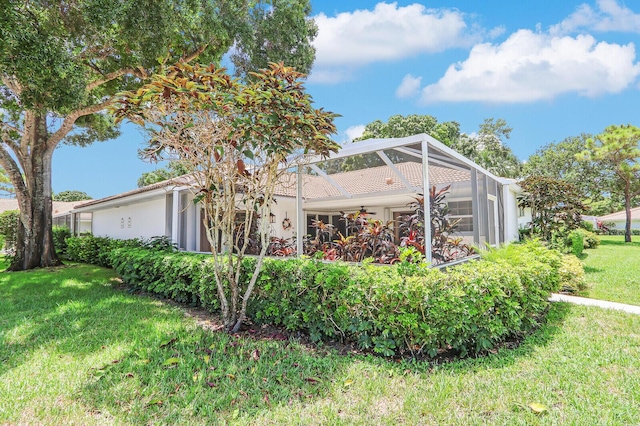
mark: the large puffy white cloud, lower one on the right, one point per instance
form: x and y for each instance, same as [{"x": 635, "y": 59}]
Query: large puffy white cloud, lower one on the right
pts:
[{"x": 532, "y": 66}]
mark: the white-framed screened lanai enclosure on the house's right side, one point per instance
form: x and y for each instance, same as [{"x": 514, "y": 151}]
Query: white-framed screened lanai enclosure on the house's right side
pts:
[{"x": 385, "y": 179}]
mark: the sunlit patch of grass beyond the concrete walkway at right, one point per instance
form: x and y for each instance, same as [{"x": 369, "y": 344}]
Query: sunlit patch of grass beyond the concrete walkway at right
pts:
[{"x": 613, "y": 270}]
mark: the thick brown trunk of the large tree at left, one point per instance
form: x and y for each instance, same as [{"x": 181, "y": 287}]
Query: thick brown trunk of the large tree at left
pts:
[{"x": 34, "y": 245}]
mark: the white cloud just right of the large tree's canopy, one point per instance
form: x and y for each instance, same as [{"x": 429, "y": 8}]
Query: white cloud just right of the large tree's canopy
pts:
[{"x": 387, "y": 33}]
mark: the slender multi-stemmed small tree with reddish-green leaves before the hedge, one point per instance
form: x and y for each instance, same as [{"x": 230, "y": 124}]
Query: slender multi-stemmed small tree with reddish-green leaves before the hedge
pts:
[{"x": 237, "y": 140}]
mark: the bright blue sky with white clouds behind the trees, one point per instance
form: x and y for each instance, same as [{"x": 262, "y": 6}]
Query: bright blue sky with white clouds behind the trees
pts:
[{"x": 552, "y": 69}]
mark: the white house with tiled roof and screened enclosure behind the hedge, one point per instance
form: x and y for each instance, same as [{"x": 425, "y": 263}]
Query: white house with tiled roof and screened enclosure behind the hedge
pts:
[{"x": 381, "y": 176}]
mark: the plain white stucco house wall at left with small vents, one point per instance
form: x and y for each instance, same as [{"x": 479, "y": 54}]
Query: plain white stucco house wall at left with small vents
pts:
[{"x": 140, "y": 220}]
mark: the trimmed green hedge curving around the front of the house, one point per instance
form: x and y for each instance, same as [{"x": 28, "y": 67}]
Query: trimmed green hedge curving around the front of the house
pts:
[{"x": 407, "y": 307}]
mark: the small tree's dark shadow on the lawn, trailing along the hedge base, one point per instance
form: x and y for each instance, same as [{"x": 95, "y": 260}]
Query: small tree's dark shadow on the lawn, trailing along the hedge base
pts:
[{"x": 221, "y": 377}]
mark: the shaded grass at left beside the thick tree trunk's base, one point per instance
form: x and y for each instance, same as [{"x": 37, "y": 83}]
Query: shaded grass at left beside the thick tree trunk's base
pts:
[{"x": 70, "y": 308}]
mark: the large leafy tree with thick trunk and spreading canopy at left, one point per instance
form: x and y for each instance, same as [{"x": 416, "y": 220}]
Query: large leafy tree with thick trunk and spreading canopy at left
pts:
[{"x": 62, "y": 62}]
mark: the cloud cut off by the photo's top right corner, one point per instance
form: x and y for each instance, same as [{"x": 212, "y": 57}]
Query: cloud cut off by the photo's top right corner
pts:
[{"x": 608, "y": 16}]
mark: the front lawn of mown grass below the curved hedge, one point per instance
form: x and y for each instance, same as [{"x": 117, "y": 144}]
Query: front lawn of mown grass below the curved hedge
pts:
[{"x": 76, "y": 350}]
